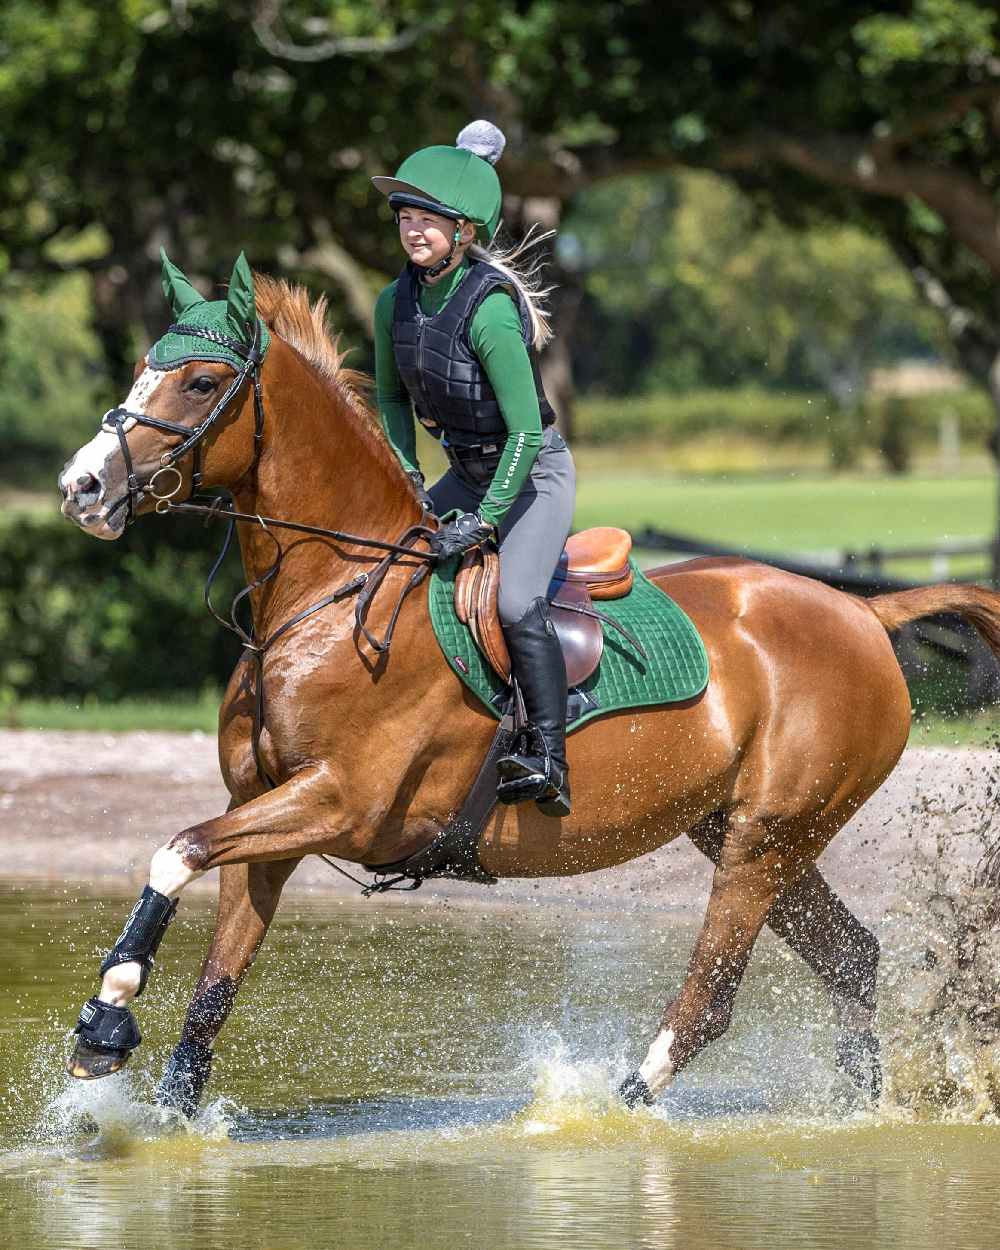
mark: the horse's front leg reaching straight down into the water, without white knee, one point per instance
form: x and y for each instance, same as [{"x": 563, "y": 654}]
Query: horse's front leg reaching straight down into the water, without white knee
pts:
[{"x": 248, "y": 901}]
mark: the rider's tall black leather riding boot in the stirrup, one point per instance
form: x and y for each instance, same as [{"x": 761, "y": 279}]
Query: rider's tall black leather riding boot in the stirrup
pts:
[{"x": 537, "y": 766}]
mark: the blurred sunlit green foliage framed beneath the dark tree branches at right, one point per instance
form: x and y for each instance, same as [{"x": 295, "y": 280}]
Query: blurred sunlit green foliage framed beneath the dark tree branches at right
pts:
[{"x": 691, "y": 284}]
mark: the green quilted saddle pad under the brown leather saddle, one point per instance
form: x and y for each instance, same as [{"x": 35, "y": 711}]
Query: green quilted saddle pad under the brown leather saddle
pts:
[{"x": 677, "y": 666}]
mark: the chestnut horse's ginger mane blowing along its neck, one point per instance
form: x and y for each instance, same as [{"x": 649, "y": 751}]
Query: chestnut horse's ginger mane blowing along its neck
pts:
[{"x": 303, "y": 324}]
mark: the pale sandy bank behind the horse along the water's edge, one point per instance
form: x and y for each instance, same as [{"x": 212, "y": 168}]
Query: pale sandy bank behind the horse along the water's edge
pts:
[{"x": 74, "y": 811}]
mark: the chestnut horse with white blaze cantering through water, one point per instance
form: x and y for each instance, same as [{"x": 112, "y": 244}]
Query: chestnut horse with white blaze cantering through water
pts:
[{"x": 366, "y": 756}]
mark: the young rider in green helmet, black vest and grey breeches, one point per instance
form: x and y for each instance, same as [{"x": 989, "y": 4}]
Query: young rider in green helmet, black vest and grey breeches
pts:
[{"x": 454, "y": 339}]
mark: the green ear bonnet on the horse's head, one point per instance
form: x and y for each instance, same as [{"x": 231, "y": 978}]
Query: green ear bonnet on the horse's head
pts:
[{"x": 231, "y": 319}]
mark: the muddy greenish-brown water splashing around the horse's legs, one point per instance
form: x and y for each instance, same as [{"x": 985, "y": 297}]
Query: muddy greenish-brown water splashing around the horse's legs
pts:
[{"x": 411, "y": 1077}]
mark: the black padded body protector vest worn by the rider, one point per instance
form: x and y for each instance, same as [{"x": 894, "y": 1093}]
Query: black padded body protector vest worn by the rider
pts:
[{"x": 434, "y": 354}]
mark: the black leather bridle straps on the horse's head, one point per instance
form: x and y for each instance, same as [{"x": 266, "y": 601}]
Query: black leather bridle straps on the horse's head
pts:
[{"x": 117, "y": 419}]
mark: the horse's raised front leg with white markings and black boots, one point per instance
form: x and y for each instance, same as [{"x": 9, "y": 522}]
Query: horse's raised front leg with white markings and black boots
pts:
[{"x": 281, "y": 826}]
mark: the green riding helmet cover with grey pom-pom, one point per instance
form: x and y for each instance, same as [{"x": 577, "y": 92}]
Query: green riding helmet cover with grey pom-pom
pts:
[{"x": 459, "y": 182}]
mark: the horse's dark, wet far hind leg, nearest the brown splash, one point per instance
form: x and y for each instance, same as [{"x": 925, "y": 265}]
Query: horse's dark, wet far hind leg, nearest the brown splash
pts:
[{"x": 817, "y": 926}]
